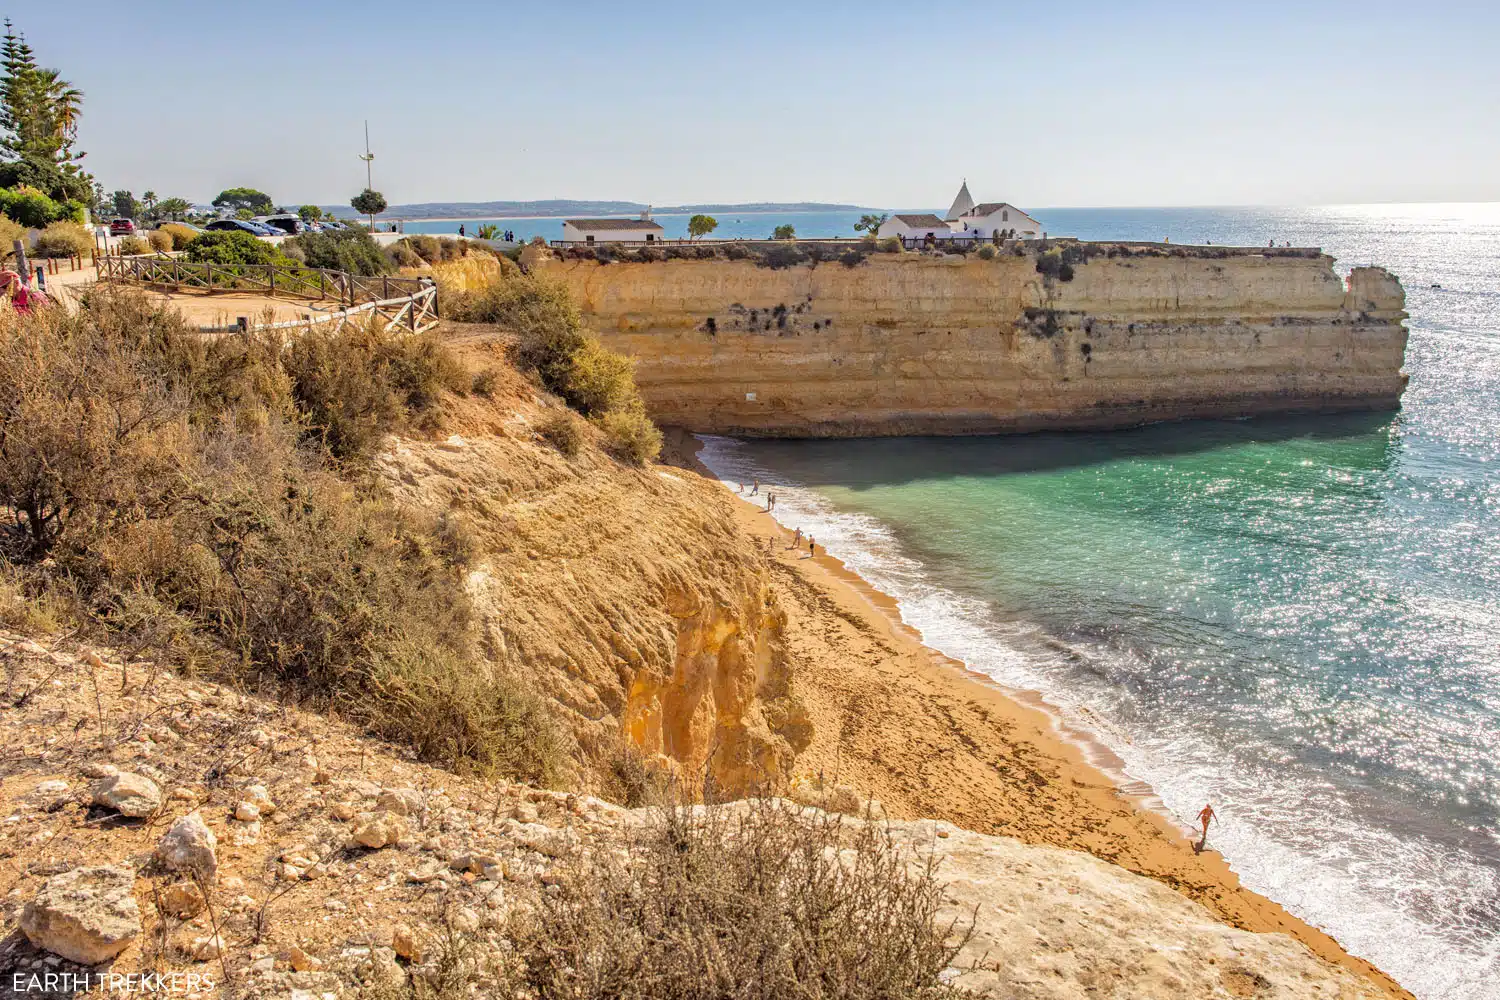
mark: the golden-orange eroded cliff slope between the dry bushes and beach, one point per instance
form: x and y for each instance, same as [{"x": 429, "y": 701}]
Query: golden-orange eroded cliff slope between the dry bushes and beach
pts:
[{"x": 628, "y": 596}]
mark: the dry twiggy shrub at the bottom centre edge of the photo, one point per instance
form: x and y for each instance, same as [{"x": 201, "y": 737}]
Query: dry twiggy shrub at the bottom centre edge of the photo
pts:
[{"x": 754, "y": 902}]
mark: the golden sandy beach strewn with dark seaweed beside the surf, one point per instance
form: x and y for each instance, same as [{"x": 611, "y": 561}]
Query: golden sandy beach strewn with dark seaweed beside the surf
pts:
[{"x": 1012, "y": 765}]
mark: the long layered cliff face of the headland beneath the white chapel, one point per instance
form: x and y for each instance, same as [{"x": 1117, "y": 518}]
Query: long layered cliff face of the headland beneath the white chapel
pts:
[{"x": 920, "y": 344}]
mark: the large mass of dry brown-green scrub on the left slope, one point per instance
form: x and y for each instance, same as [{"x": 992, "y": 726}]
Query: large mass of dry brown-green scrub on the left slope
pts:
[{"x": 161, "y": 481}]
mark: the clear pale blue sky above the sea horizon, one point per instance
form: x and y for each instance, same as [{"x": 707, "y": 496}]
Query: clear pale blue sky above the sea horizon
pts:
[{"x": 880, "y": 104}]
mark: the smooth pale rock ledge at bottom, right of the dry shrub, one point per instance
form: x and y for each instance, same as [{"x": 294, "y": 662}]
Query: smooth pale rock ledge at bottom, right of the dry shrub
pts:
[{"x": 1064, "y": 926}]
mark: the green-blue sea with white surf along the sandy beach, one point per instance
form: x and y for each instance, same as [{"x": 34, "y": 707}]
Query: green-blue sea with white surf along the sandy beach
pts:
[{"x": 1295, "y": 618}]
